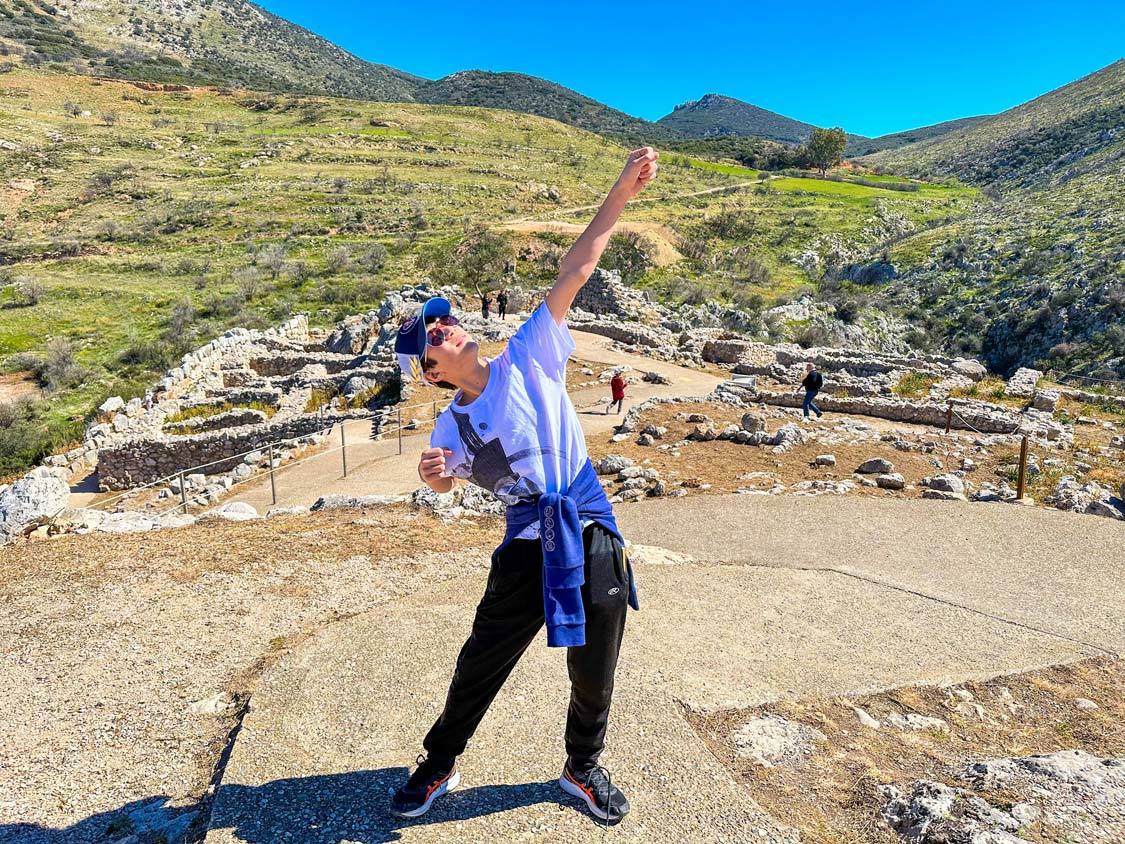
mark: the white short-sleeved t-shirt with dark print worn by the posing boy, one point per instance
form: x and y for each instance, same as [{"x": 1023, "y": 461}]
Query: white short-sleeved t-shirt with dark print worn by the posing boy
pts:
[{"x": 521, "y": 437}]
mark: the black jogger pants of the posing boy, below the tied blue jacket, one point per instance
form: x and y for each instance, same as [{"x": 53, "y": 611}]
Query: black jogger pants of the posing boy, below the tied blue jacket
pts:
[{"x": 510, "y": 617}]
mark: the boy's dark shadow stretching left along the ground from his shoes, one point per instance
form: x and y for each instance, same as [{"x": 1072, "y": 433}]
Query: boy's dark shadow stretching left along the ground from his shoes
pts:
[{"x": 325, "y": 810}]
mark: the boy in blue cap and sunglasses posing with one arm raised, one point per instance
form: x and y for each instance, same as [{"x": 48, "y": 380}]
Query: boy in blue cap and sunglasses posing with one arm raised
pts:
[{"x": 512, "y": 430}]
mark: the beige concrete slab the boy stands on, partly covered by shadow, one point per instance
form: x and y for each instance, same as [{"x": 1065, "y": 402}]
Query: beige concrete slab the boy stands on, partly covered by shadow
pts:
[{"x": 336, "y": 724}]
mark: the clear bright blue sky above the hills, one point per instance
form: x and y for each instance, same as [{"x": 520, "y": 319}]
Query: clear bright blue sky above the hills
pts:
[{"x": 872, "y": 68}]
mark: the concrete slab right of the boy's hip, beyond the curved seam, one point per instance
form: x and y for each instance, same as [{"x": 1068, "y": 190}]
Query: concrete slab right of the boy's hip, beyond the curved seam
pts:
[{"x": 1054, "y": 571}]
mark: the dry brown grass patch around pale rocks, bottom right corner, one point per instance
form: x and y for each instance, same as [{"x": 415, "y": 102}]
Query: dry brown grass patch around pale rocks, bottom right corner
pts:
[{"x": 832, "y": 795}]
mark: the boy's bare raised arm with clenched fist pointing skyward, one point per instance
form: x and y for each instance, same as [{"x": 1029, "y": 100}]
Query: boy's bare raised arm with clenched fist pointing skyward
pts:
[{"x": 581, "y": 262}]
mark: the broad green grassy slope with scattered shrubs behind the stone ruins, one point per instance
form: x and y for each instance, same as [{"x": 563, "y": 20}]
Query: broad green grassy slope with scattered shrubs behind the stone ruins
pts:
[{"x": 140, "y": 225}]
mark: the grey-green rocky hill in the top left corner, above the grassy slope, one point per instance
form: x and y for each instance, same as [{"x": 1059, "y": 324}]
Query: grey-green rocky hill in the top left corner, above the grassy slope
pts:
[{"x": 230, "y": 43}]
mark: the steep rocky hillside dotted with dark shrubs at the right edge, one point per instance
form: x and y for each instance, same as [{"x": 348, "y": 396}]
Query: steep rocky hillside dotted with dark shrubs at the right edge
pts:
[{"x": 1038, "y": 276}]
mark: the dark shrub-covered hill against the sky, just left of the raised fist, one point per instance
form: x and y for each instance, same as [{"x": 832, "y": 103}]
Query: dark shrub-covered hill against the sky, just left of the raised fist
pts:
[{"x": 534, "y": 96}]
